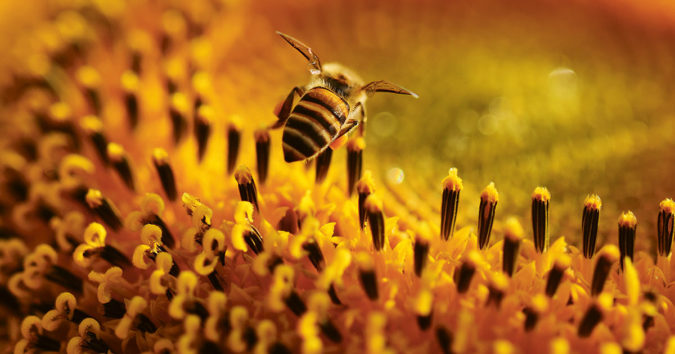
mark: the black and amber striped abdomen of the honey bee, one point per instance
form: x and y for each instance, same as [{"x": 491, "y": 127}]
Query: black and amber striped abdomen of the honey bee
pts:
[{"x": 313, "y": 124}]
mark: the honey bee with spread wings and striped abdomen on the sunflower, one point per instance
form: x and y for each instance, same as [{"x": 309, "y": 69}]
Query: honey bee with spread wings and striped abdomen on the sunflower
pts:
[{"x": 319, "y": 115}]
